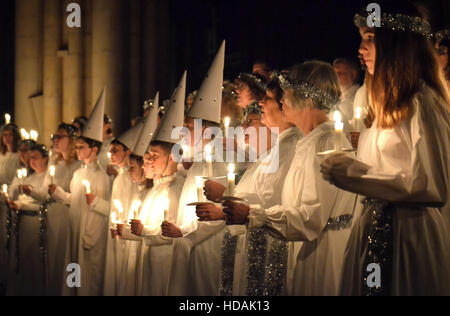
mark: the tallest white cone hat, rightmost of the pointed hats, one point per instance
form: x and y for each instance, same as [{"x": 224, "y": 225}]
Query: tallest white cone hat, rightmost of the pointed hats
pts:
[{"x": 208, "y": 102}]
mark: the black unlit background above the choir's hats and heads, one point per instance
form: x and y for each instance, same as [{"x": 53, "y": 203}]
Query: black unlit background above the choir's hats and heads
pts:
[{"x": 281, "y": 32}]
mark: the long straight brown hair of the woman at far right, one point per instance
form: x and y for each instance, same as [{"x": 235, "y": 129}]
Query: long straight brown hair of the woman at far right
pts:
[{"x": 403, "y": 61}]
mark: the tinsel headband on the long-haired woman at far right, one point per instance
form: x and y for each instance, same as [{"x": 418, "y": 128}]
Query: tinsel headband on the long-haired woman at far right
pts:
[{"x": 398, "y": 22}]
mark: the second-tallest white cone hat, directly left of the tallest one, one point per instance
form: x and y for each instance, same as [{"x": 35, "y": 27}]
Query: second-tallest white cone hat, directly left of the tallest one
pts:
[{"x": 174, "y": 114}]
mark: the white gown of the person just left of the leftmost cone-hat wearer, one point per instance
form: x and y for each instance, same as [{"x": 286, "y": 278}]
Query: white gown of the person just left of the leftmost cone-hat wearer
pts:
[{"x": 57, "y": 222}]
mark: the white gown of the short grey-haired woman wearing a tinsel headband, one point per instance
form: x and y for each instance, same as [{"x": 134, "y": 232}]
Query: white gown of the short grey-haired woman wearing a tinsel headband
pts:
[{"x": 308, "y": 205}]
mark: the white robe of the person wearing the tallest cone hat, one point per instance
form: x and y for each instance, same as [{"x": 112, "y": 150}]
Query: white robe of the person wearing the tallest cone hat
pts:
[{"x": 185, "y": 278}]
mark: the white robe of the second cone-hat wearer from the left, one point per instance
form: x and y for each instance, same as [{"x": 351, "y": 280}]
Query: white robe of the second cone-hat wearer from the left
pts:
[{"x": 122, "y": 190}]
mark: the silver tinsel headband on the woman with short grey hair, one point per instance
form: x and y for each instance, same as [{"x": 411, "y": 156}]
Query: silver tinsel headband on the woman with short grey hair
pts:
[{"x": 307, "y": 91}]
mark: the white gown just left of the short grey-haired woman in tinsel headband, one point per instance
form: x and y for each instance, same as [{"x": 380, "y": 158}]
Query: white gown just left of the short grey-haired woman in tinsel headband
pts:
[{"x": 260, "y": 187}]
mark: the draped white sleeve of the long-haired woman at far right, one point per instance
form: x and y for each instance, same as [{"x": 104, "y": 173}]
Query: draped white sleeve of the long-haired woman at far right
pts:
[{"x": 424, "y": 181}]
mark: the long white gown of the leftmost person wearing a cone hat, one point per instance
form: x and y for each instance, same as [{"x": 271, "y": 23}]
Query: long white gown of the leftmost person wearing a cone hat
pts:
[{"x": 86, "y": 243}]
